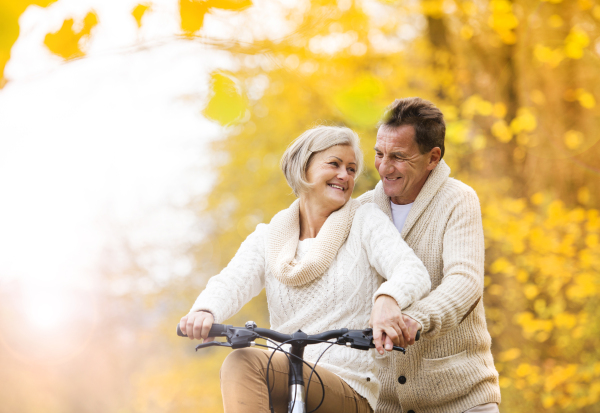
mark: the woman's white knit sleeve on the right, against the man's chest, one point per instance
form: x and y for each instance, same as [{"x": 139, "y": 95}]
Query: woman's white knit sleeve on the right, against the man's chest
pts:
[{"x": 407, "y": 278}]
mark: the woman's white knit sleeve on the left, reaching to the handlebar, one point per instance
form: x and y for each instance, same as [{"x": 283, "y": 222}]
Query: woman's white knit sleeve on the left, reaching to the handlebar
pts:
[{"x": 243, "y": 278}]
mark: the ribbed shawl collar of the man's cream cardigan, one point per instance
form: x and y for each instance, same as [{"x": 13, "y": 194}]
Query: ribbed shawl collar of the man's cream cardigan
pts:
[{"x": 434, "y": 182}]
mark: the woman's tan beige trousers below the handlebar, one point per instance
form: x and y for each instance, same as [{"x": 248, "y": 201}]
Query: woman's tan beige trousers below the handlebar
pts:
[{"x": 244, "y": 385}]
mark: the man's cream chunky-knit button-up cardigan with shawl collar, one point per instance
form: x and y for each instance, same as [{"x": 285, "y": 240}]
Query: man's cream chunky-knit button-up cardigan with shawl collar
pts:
[{"x": 451, "y": 369}]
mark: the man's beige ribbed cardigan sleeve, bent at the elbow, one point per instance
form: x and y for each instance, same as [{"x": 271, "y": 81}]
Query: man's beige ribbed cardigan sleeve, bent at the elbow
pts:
[{"x": 462, "y": 283}]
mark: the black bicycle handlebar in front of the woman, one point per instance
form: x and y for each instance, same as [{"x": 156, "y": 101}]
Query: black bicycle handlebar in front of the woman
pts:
[{"x": 238, "y": 337}]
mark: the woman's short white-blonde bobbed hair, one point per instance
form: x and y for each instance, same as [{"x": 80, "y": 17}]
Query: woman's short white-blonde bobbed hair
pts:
[{"x": 296, "y": 159}]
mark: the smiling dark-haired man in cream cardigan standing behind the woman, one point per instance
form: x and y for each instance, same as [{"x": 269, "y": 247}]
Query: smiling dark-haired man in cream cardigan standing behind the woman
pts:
[{"x": 450, "y": 369}]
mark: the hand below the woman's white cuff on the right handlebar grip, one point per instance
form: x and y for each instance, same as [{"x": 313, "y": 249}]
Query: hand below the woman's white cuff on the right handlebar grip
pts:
[{"x": 388, "y": 324}]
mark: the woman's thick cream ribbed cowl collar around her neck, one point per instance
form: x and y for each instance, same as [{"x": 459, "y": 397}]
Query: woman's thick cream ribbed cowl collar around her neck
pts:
[{"x": 282, "y": 242}]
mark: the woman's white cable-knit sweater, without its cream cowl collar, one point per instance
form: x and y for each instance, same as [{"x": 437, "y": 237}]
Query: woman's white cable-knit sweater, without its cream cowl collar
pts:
[{"x": 342, "y": 297}]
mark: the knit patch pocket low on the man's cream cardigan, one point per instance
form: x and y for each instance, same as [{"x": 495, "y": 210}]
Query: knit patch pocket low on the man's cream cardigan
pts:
[{"x": 448, "y": 378}]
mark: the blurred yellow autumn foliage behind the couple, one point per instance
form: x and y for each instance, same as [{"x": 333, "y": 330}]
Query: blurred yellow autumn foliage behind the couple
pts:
[{"x": 518, "y": 82}]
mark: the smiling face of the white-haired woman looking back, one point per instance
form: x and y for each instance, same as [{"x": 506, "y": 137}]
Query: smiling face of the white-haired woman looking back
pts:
[{"x": 332, "y": 174}]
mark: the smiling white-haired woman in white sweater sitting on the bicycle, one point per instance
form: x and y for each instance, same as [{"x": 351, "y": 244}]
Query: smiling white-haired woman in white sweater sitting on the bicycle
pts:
[{"x": 321, "y": 262}]
